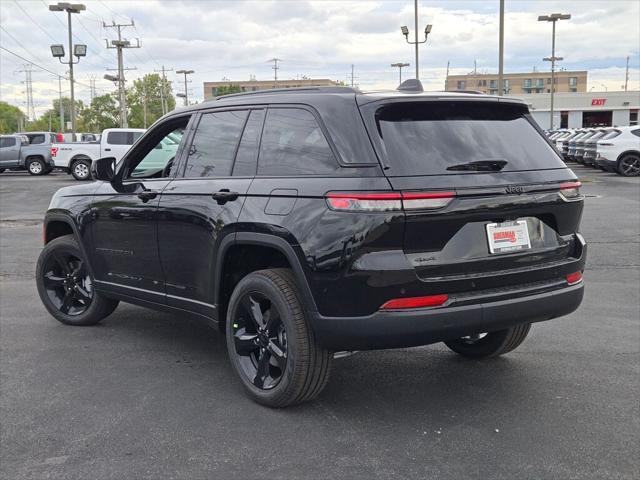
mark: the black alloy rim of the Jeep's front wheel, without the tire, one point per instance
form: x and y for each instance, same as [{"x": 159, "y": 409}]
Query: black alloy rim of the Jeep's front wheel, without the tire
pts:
[{"x": 67, "y": 283}]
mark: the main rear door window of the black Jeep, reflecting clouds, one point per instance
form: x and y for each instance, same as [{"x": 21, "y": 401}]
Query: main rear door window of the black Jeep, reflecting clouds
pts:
[{"x": 214, "y": 144}]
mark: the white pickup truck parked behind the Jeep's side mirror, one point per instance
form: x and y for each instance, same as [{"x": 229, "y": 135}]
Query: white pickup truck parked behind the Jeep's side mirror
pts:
[{"x": 76, "y": 158}]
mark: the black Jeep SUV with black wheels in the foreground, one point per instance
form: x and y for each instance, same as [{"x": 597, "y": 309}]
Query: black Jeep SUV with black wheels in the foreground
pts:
[{"x": 320, "y": 220}]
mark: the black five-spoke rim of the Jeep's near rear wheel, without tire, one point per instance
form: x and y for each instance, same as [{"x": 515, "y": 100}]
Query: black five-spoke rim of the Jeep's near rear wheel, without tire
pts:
[{"x": 260, "y": 341}]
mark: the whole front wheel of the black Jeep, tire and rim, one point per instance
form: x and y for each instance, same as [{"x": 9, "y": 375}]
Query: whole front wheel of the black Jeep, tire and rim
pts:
[{"x": 66, "y": 287}]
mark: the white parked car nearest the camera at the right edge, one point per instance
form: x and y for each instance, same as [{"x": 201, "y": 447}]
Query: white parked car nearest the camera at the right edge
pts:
[{"x": 620, "y": 152}]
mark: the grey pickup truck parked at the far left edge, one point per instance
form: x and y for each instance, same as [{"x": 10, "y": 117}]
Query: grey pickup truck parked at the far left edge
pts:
[{"x": 27, "y": 151}]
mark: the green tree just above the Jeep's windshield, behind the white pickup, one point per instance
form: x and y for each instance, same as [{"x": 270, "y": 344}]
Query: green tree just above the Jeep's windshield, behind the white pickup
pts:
[{"x": 144, "y": 100}]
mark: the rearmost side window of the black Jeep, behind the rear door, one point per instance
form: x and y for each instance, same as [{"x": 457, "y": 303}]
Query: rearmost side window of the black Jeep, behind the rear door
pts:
[{"x": 293, "y": 144}]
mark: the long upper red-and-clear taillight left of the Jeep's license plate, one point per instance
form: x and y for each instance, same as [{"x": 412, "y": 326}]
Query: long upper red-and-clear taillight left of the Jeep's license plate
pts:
[{"x": 388, "y": 201}]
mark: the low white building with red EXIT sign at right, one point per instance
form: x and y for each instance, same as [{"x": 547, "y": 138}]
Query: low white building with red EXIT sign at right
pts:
[{"x": 589, "y": 109}]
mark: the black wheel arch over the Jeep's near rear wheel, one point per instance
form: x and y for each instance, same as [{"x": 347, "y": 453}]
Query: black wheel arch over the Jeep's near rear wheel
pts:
[{"x": 272, "y": 252}]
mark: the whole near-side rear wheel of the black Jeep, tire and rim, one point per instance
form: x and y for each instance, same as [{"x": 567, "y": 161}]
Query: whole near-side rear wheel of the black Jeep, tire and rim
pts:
[{"x": 271, "y": 345}]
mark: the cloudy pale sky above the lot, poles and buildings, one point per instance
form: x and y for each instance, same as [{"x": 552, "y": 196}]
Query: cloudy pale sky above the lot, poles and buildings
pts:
[{"x": 320, "y": 39}]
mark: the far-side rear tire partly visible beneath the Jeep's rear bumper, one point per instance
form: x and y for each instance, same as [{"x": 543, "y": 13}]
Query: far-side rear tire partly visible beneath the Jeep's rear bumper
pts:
[{"x": 491, "y": 344}]
